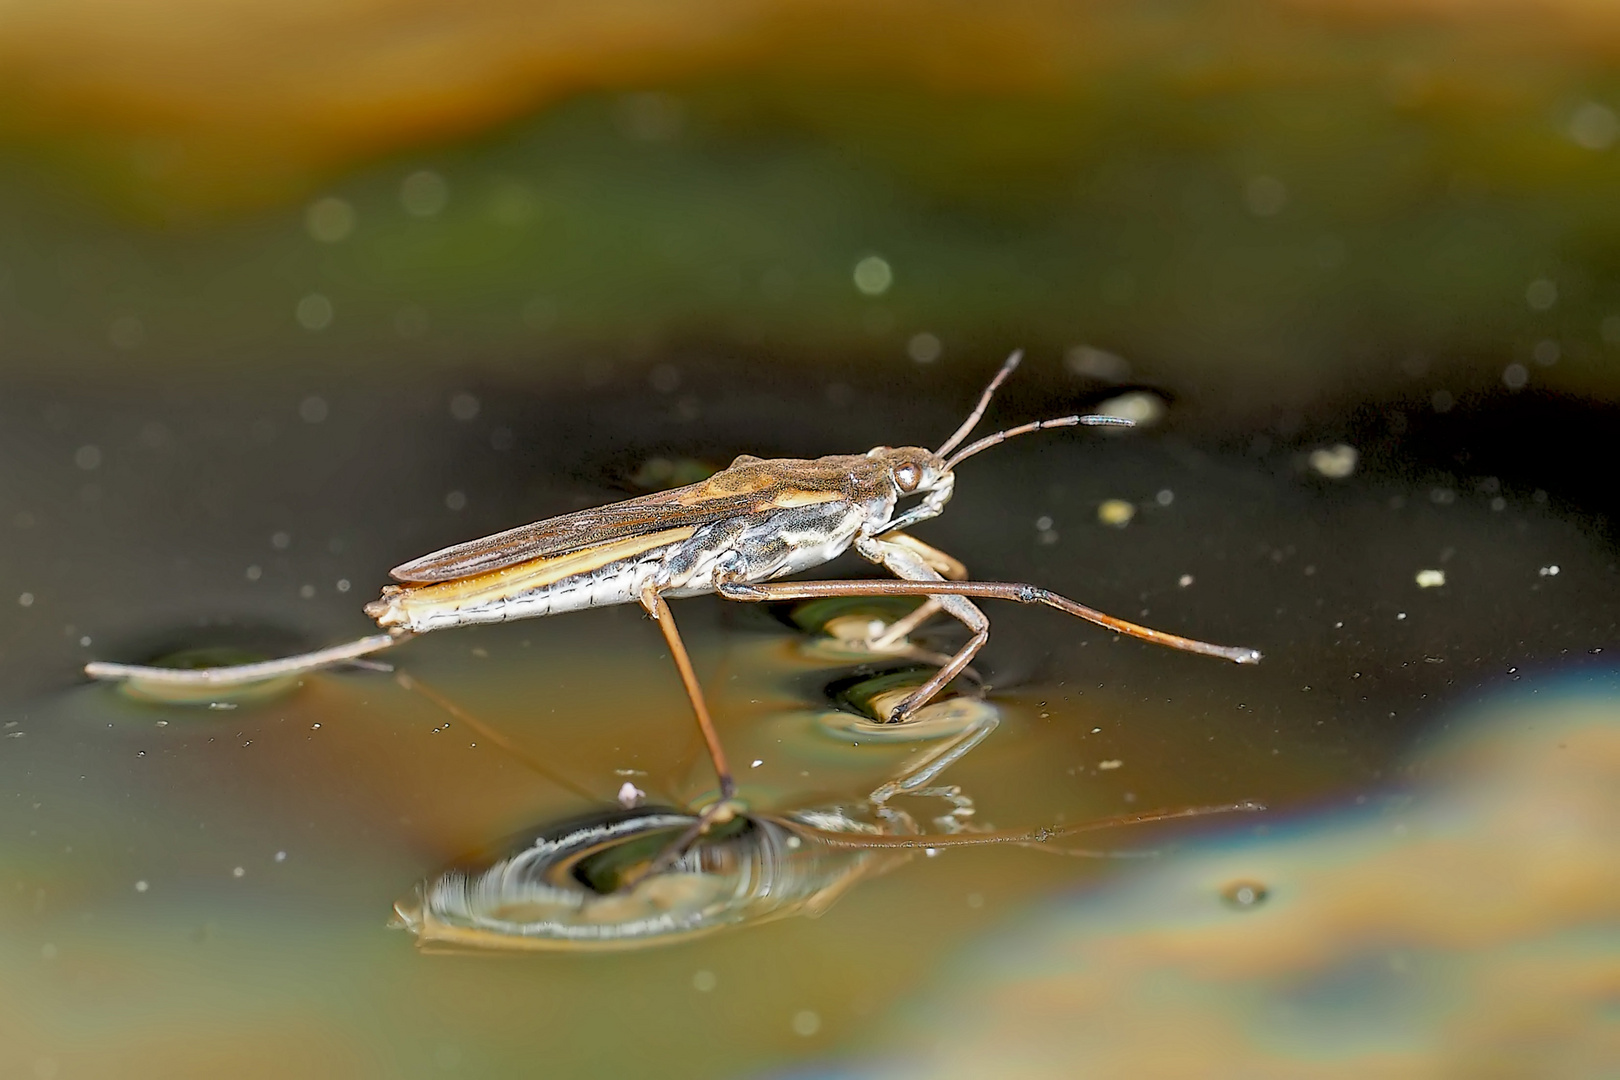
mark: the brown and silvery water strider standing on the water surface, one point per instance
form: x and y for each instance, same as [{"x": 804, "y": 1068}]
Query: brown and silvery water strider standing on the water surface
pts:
[{"x": 731, "y": 535}]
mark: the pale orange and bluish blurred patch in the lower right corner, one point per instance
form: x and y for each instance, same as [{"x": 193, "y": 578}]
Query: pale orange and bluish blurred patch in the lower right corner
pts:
[{"x": 1467, "y": 925}]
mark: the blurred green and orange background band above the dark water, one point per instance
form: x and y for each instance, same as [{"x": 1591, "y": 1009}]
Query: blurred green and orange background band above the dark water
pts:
[{"x": 1253, "y": 202}]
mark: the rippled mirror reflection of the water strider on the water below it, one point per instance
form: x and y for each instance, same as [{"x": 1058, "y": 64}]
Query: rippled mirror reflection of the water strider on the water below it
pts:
[{"x": 628, "y": 878}]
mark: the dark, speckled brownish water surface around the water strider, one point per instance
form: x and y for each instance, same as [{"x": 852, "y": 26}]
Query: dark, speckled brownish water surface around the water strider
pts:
[{"x": 189, "y": 890}]
